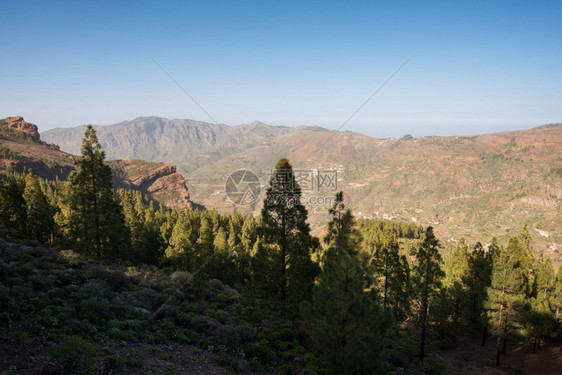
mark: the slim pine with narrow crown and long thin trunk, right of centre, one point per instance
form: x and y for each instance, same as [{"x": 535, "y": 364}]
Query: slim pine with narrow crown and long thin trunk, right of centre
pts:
[{"x": 427, "y": 275}]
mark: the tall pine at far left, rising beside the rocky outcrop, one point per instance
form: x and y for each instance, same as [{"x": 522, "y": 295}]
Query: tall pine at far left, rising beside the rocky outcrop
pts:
[{"x": 93, "y": 219}]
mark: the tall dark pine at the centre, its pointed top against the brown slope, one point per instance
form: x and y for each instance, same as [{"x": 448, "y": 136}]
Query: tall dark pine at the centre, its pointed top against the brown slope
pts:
[{"x": 284, "y": 225}]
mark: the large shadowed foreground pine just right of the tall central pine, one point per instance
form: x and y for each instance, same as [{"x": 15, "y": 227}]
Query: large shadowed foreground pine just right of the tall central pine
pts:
[{"x": 348, "y": 325}]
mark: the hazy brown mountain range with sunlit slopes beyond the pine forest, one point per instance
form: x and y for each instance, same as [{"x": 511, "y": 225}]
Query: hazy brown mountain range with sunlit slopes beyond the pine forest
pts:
[{"x": 477, "y": 186}]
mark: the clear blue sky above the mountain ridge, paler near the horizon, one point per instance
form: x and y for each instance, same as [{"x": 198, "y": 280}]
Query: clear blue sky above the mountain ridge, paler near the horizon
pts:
[{"x": 477, "y": 66}]
